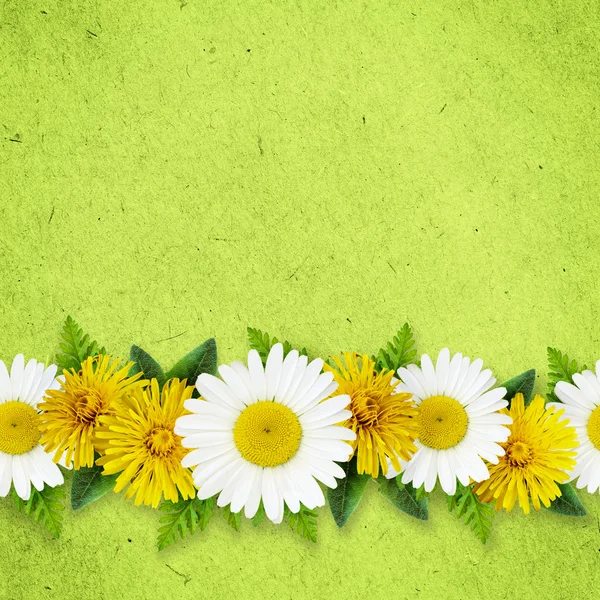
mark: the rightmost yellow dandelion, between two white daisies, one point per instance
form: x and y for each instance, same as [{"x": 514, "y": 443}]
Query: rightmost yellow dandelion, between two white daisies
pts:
[{"x": 538, "y": 452}]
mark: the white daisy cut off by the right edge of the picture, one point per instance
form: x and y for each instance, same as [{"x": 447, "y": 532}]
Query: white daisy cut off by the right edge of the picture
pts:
[{"x": 581, "y": 403}]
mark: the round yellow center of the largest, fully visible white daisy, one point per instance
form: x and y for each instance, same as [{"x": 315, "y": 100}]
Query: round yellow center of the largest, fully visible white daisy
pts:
[{"x": 267, "y": 433}]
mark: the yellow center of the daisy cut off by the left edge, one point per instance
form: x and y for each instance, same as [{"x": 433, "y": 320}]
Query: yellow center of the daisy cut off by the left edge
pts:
[{"x": 19, "y": 427}]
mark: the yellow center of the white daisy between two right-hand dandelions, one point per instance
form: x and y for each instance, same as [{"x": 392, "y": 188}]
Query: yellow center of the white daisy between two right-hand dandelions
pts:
[{"x": 443, "y": 422}]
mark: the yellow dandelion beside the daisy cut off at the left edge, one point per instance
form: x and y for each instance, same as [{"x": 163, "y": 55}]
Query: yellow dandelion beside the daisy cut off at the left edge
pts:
[{"x": 70, "y": 414}]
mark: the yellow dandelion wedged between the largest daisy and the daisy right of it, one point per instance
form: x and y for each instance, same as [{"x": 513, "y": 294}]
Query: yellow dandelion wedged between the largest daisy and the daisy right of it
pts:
[{"x": 385, "y": 422}]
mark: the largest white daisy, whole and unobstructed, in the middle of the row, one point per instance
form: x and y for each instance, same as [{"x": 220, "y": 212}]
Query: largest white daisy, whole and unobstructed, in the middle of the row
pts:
[{"x": 266, "y": 433}]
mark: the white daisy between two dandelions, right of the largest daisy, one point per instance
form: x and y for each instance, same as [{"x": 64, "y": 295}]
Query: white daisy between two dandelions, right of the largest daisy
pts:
[{"x": 459, "y": 423}]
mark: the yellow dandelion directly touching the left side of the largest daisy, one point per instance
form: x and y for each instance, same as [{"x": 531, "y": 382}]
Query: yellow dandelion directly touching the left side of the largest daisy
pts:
[{"x": 139, "y": 440}]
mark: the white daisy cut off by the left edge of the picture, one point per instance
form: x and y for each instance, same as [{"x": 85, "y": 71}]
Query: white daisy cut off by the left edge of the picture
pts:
[{"x": 23, "y": 461}]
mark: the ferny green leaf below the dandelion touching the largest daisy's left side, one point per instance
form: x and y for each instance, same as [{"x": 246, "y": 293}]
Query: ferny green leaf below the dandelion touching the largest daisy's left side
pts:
[{"x": 182, "y": 518}]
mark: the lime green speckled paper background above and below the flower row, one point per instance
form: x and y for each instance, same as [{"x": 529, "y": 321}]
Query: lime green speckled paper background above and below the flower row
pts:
[{"x": 175, "y": 170}]
